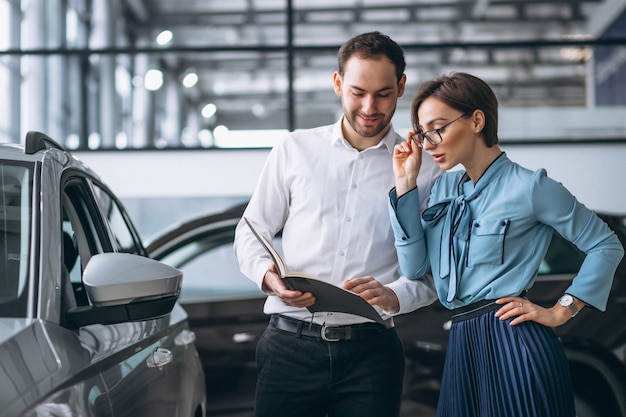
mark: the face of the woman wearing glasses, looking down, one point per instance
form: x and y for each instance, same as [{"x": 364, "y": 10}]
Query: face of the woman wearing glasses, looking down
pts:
[{"x": 459, "y": 140}]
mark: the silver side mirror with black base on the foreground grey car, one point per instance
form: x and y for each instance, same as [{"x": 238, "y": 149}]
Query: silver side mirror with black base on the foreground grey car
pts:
[{"x": 124, "y": 287}]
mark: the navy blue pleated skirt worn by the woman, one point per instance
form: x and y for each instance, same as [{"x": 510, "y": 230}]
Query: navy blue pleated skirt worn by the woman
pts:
[{"x": 493, "y": 369}]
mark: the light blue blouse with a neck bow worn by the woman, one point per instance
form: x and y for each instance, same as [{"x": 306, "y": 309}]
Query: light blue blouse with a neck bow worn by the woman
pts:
[{"x": 487, "y": 240}]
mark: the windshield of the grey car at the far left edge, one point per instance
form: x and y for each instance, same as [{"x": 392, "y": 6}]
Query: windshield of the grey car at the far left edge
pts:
[{"x": 15, "y": 183}]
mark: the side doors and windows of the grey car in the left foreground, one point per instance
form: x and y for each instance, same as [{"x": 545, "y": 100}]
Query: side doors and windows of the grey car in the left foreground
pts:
[{"x": 147, "y": 366}]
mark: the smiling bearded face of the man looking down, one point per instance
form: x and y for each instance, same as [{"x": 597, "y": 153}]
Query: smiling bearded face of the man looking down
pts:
[{"x": 369, "y": 92}]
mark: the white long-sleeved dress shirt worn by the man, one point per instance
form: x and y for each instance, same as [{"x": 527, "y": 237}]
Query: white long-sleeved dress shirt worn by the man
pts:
[{"x": 330, "y": 200}]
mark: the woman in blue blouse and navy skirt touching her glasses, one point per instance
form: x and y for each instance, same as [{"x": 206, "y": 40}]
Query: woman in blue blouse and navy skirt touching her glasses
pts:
[{"x": 483, "y": 237}]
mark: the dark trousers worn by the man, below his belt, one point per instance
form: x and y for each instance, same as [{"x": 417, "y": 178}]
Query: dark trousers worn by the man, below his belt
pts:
[{"x": 308, "y": 377}]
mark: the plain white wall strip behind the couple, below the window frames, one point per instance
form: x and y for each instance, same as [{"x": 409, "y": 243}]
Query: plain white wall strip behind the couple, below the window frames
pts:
[{"x": 596, "y": 174}]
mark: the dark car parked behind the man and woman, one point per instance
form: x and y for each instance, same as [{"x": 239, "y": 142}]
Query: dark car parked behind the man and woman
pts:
[{"x": 226, "y": 313}]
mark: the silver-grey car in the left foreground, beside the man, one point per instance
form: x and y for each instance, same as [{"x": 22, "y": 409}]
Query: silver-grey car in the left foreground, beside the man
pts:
[{"x": 89, "y": 325}]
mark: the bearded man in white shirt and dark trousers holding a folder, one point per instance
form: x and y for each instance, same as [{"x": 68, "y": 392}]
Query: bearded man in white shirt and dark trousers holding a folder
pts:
[{"x": 326, "y": 188}]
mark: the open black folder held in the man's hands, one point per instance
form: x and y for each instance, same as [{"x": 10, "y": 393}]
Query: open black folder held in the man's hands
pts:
[{"x": 328, "y": 297}]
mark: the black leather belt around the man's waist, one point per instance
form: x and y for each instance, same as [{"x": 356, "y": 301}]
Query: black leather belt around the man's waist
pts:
[{"x": 328, "y": 333}]
